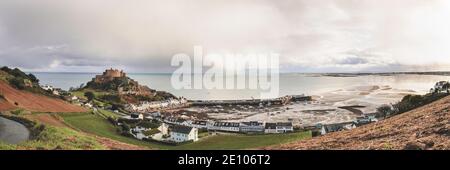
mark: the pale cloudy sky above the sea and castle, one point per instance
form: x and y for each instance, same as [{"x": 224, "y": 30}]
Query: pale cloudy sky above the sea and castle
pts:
[{"x": 144, "y": 35}]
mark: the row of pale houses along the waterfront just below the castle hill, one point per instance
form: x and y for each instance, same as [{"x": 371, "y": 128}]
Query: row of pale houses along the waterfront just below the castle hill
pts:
[{"x": 146, "y": 106}]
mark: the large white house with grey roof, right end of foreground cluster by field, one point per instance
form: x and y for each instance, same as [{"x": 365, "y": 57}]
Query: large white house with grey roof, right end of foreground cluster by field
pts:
[{"x": 183, "y": 134}]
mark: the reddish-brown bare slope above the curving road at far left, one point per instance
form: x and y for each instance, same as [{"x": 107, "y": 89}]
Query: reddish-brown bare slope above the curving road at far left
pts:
[{"x": 33, "y": 102}]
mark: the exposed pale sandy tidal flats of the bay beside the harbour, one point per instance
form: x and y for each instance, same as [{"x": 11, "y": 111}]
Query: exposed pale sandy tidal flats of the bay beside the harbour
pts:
[{"x": 341, "y": 105}]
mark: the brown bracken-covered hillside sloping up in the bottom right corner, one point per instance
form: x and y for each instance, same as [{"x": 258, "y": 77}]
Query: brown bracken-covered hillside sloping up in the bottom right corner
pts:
[{"x": 424, "y": 128}]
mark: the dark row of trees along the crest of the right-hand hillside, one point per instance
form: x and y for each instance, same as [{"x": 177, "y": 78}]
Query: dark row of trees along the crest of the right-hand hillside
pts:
[{"x": 408, "y": 103}]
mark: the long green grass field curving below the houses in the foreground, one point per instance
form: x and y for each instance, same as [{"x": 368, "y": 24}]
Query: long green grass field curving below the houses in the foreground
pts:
[{"x": 96, "y": 125}]
